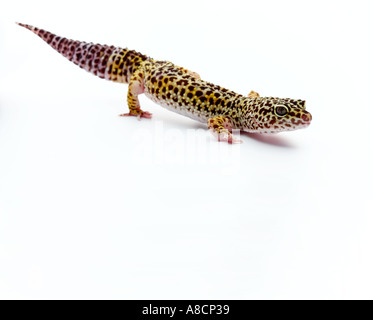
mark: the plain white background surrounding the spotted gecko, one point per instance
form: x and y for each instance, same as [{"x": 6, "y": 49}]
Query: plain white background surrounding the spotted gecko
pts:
[{"x": 97, "y": 206}]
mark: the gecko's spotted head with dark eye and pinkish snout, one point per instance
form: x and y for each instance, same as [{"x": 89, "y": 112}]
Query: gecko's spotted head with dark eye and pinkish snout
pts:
[{"x": 271, "y": 115}]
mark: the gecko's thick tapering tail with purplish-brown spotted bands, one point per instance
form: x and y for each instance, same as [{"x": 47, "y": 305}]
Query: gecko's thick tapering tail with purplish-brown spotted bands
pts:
[{"x": 107, "y": 62}]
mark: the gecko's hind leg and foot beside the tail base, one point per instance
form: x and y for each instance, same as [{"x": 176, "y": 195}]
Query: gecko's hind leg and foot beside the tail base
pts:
[{"x": 136, "y": 87}]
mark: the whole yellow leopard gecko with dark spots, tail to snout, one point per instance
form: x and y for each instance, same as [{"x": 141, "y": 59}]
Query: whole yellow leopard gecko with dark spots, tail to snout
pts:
[{"x": 181, "y": 91}]
